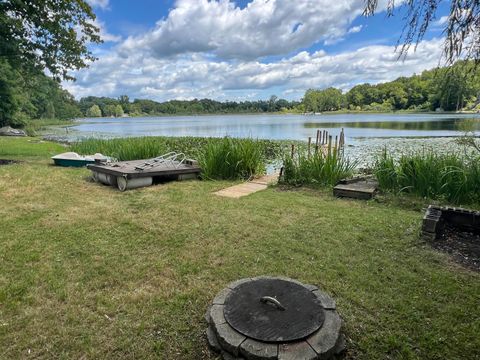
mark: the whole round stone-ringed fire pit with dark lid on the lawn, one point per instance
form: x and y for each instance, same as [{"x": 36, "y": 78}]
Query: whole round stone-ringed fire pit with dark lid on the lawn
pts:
[{"x": 274, "y": 318}]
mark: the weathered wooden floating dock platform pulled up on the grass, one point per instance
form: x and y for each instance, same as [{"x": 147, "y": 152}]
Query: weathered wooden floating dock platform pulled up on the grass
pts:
[{"x": 134, "y": 174}]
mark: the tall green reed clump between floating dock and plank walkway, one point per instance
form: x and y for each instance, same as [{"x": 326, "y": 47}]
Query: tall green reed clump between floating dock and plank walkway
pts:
[{"x": 232, "y": 159}]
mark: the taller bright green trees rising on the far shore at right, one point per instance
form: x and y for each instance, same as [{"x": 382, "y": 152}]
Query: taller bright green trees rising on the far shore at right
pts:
[{"x": 450, "y": 89}]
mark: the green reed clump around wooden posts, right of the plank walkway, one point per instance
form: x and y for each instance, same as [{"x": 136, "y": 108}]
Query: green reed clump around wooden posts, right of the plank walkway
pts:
[{"x": 320, "y": 168}]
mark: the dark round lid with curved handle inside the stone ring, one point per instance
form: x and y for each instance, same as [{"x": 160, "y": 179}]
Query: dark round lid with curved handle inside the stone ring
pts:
[{"x": 273, "y": 310}]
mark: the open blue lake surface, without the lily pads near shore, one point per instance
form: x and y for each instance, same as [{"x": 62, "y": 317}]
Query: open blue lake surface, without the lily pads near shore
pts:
[{"x": 295, "y": 127}]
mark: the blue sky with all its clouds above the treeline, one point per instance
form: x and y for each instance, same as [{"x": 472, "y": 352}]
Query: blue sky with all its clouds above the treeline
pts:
[{"x": 244, "y": 50}]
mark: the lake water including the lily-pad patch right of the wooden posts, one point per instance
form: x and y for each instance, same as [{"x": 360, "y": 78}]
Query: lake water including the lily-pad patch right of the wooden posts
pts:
[{"x": 366, "y": 134}]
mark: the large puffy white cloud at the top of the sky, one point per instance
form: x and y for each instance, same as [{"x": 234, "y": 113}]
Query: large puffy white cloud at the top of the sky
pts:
[{"x": 262, "y": 28}]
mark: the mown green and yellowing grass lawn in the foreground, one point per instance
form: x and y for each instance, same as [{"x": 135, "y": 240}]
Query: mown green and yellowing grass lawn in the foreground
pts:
[{"x": 88, "y": 272}]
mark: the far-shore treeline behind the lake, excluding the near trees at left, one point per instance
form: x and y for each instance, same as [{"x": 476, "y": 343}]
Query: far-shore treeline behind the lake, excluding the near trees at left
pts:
[{"x": 449, "y": 89}]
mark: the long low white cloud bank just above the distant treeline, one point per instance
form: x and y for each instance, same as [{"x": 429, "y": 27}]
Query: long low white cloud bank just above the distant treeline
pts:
[{"x": 197, "y": 76}]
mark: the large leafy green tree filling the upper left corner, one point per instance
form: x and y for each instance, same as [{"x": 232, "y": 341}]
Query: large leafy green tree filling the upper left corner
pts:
[{"x": 39, "y": 35}]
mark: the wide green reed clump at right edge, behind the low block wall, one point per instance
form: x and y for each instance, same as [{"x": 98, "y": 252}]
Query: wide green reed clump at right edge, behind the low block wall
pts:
[{"x": 449, "y": 177}]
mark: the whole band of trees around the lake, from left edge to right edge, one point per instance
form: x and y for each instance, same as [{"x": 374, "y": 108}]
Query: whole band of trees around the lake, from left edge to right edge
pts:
[{"x": 31, "y": 94}]
